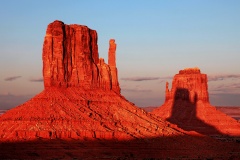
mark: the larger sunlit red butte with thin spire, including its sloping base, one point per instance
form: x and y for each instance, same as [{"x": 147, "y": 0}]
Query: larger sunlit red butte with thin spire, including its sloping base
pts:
[{"x": 81, "y": 97}]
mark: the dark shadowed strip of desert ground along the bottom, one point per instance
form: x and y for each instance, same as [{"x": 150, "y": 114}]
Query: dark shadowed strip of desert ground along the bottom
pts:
[{"x": 163, "y": 147}]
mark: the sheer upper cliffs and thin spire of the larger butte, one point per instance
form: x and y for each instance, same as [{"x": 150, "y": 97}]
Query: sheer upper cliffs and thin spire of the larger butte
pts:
[{"x": 70, "y": 59}]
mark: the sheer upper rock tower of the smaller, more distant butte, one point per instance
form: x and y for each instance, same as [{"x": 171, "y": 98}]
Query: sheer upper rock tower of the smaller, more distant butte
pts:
[{"x": 191, "y": 80}]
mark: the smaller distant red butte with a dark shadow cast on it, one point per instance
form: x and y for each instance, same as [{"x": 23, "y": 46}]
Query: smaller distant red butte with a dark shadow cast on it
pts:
[{"x": 187, "y": 105}]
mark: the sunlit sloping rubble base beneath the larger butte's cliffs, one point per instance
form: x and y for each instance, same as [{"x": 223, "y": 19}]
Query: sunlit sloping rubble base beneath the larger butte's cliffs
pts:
[{"x": 79, "y": 114}]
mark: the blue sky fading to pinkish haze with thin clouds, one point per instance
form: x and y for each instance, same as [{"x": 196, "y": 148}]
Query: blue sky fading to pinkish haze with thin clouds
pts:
[{"x": 155, "y": 39}]
